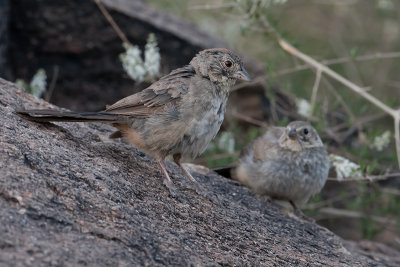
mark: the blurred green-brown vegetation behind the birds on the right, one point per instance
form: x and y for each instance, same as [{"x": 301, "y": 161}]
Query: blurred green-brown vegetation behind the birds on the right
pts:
[{"x": 364, "y": 37}]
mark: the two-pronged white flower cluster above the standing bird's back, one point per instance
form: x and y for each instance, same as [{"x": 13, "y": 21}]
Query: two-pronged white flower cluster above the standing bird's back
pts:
[{"x": 133, "y": 64}]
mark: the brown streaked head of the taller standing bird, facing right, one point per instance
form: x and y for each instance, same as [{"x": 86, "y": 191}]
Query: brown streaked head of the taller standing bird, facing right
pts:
[{"x": 220, "y": 65}]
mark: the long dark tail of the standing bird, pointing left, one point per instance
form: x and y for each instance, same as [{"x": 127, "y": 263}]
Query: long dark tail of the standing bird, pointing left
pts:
[{"x": 45, "y": 115}]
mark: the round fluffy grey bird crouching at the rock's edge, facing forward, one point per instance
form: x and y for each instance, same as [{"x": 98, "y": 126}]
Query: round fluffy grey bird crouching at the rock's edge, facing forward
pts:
[{"x": 285, "y": 163}]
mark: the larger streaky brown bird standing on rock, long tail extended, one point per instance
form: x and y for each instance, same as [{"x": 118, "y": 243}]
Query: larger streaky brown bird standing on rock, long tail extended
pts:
[{"x": 177, "y": 115}]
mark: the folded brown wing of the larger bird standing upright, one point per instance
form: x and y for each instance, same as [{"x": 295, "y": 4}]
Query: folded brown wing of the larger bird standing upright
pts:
[{"x": 152, "y": 100}]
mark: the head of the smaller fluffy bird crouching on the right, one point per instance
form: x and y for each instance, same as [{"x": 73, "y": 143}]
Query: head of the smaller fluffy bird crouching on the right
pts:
[{"x": 300, "y": 135}]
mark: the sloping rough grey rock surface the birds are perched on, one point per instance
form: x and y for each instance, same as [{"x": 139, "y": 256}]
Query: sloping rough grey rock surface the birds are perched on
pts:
[{"x": 68, "y": 196}]
